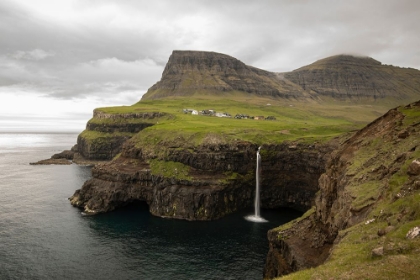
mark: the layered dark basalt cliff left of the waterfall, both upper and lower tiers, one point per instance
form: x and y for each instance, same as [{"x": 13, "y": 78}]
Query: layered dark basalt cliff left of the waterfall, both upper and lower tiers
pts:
[{"x": 206, "y": 194}]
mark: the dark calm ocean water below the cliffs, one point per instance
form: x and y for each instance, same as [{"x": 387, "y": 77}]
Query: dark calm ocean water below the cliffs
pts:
[{"x": 43, "y": 237}]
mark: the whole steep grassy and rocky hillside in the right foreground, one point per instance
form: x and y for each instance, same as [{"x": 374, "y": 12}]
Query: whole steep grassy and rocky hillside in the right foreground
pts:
[{"x": 366, "y": 212}]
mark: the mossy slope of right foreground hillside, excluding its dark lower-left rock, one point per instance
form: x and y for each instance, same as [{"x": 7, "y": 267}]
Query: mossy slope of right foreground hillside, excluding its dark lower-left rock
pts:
[{"x": 377, "y": 202}]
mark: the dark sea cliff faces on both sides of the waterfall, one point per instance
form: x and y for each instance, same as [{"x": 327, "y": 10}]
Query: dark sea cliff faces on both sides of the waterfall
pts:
[{"x": 221, "y": 180}]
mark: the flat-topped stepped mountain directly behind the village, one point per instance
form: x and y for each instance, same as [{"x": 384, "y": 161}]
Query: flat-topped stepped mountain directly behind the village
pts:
[{"x": 194, "y": 71}]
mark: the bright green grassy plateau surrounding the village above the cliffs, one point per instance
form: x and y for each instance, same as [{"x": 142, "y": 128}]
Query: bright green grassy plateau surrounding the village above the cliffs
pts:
[{"x": 294, "y": 120}]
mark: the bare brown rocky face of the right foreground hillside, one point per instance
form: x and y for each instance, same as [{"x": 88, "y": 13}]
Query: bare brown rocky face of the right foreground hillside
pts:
[{"x": 340, "y": 202}]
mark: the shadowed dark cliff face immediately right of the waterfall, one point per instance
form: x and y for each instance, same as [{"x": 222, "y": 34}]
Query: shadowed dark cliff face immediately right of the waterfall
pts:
[{"x": 290, "y": 173}]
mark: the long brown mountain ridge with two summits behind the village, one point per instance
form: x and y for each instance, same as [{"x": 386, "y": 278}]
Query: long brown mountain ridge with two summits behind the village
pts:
[{"x": 341, "y": 77}]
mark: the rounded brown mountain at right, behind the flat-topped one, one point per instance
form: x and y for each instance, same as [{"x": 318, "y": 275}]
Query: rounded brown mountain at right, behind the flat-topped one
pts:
[{"x": 346, "y": 76}]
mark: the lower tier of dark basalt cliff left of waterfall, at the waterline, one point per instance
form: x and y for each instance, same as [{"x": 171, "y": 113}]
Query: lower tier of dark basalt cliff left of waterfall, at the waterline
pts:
[{"x": 117, "y": 185}]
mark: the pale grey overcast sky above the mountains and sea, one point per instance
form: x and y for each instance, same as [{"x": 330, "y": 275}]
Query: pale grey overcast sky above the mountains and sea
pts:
[{"x": 61, "y": 59}]
